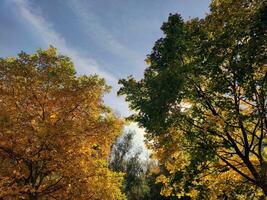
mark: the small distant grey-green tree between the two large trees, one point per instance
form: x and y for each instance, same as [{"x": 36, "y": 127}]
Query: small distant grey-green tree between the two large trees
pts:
[{"x": 139, "y": 174}]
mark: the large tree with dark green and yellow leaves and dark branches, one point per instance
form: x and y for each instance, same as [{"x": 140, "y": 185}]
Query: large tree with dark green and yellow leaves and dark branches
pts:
[{"x": 202, "y": 101}]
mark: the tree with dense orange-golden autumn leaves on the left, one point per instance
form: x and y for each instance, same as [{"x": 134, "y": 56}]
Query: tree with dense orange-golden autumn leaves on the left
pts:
[{"x": 55, "y": 131}]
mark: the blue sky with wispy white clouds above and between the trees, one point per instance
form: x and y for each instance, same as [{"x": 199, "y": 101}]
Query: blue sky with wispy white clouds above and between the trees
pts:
[{"x": 110, "y": 38}]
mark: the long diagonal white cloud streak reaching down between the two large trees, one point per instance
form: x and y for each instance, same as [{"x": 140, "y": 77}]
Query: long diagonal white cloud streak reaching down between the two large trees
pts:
[{"x": 84, "y": 65}]
